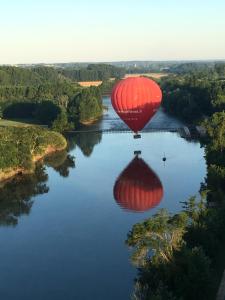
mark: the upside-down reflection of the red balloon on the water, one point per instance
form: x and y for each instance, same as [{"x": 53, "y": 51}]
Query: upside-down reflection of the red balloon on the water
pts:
[{"x": 138, "y": 188}]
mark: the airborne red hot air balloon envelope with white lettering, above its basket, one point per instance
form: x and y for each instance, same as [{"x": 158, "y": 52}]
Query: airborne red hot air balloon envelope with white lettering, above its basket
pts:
[{"x": 136, "y": 100}]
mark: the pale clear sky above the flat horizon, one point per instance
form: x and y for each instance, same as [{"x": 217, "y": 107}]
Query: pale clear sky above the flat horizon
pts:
[{"x": 109, "y": 30}]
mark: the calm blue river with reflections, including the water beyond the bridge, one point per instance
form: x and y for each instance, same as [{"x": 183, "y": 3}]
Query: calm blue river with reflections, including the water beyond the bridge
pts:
[{"x": 63, "y": 230}]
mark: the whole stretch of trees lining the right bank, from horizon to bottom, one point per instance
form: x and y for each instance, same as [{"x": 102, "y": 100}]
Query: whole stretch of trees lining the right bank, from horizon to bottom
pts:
[{"x": 181, "y": 256}]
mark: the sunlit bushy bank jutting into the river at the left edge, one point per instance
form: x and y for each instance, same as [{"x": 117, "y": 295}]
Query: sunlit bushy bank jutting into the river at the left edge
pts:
[{"x": 20, "y": 147}]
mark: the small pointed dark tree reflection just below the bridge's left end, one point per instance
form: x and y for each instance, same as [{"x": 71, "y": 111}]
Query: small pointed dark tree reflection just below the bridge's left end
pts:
[{"x": 86, "y": 141}]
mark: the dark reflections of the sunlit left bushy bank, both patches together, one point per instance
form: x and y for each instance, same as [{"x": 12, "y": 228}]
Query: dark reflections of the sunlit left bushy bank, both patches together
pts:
[{"x": 17, "y": 195}]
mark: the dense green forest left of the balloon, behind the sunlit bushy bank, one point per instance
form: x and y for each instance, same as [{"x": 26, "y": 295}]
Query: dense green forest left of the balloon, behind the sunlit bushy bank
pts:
[{"x": 45, "y": 95}]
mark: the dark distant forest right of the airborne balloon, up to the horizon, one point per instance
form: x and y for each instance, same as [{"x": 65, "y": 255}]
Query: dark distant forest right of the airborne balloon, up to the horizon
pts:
[{"x": 195, "y": 95}]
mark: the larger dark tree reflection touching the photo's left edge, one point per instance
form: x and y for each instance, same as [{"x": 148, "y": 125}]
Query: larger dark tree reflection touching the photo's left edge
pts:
[{"x": 16, "y": 195}]
